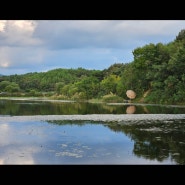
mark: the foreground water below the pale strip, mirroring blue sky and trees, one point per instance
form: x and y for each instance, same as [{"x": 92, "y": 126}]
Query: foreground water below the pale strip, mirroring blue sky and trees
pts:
[{"x": 88, "y": 142}]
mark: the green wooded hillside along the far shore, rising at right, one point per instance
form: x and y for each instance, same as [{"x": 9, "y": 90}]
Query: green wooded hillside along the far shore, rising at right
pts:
[{"x": 157, "y": 75}]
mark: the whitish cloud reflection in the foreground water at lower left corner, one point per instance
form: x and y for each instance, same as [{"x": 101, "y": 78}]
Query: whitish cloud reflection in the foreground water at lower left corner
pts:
[{"x": 13, "y": 144}]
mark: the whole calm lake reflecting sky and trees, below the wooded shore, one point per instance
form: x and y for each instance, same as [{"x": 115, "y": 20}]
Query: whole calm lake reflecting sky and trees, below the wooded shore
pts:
[{"x": 39, "y": 131}]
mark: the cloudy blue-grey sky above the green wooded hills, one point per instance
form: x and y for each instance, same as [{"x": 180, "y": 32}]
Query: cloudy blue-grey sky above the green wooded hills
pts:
[{"x": 42, "y": 45}]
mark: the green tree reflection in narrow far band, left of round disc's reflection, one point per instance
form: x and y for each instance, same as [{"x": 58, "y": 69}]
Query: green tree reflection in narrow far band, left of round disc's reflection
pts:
[{"x": 18, "y": 107}]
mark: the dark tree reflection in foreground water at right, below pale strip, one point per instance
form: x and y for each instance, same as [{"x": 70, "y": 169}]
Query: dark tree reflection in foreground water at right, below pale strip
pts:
[{"x": 156, "y": 140}]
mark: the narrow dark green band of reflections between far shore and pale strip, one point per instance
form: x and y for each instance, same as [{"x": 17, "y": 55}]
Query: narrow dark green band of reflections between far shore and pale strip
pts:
[{"x": 28, "y": 107}]
